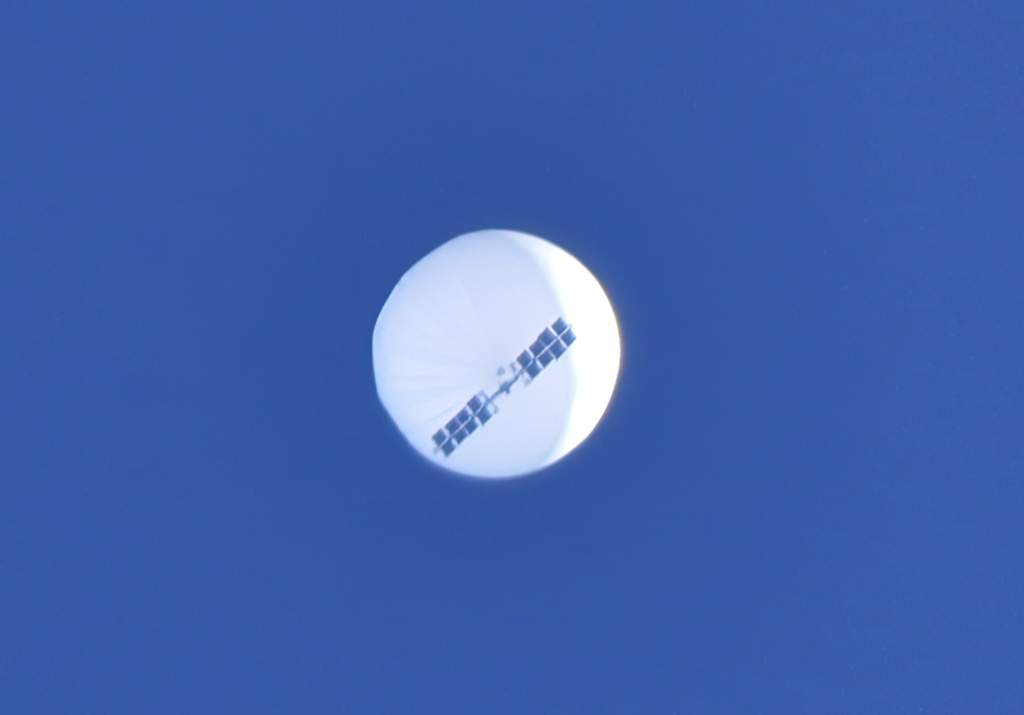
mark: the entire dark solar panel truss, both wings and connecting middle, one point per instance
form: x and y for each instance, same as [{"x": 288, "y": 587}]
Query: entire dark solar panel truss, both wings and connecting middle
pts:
[{"x": 549, "y": 347}]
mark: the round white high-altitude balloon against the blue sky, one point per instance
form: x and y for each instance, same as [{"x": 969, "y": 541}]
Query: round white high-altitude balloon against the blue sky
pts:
[{"x": 454, "y": 327}]
